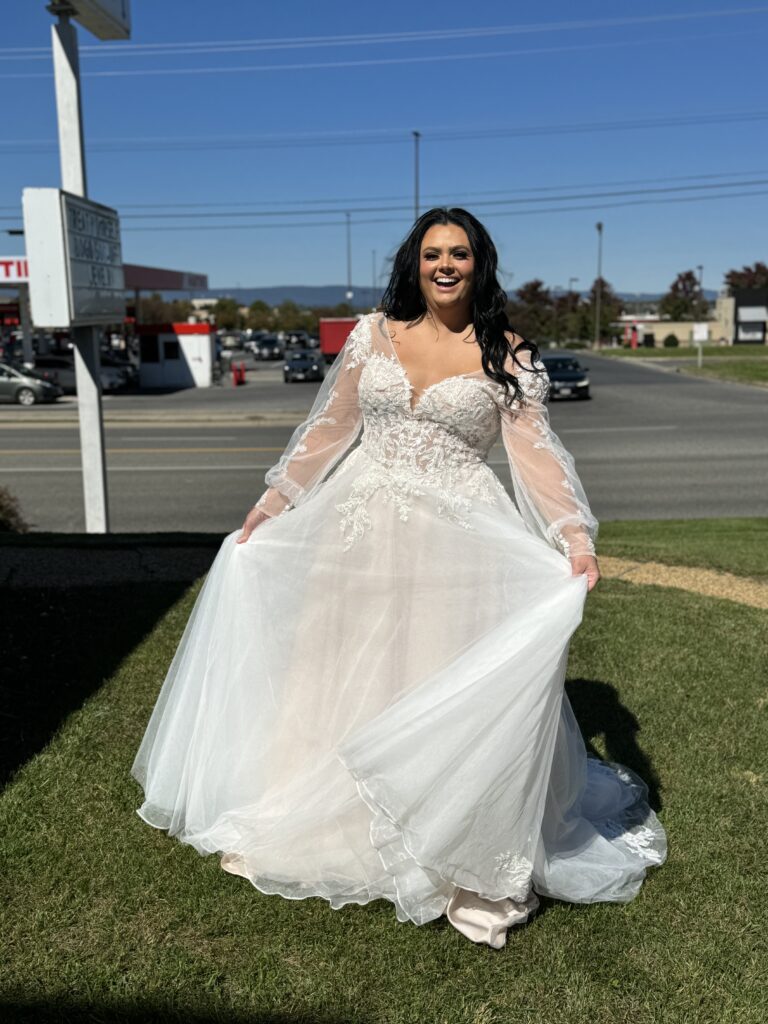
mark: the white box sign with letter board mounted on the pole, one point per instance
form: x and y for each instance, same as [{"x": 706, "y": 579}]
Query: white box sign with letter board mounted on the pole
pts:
[{"x": 76, "y": 261}]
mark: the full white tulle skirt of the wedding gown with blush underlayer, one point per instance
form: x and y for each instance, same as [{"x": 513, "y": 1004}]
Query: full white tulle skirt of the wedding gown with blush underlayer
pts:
[{"x": 388, "y": 719}]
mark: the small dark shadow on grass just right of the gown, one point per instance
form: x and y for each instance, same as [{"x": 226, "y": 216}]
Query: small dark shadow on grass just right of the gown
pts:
[{"x": 601, "y": 713}]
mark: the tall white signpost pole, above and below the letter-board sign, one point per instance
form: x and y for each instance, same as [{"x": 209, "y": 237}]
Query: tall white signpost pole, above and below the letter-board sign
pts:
[{"x": 88, "y": 359}]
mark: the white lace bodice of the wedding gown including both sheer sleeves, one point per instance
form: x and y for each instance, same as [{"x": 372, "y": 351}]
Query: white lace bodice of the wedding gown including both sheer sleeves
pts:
[{"x": 436, "y": 447}]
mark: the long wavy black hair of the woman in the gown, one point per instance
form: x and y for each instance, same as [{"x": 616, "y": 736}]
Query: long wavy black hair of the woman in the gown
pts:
[{"x": 403, "y": 300}]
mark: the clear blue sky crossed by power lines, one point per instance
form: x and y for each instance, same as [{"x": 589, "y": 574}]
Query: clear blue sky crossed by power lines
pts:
[{"x": 259, "y": 126}]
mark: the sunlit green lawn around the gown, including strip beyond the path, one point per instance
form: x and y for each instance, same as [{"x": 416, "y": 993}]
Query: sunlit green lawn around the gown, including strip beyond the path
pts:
[{"x": 106, "y": 920}]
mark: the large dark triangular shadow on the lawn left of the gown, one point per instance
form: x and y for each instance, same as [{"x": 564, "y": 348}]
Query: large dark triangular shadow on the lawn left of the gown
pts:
[{"x": 60, "y": 642}]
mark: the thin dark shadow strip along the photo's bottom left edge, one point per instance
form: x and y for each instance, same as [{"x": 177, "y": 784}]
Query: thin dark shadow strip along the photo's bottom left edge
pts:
[{"x": 24, "y": 1012}]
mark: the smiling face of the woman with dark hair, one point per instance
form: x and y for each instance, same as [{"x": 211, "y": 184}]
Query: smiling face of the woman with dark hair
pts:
[{"x": 446, "y": 268}]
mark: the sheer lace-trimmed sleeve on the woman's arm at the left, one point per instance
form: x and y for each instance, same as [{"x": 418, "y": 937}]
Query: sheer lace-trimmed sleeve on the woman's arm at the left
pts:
[{"x": 320, "y": 443}]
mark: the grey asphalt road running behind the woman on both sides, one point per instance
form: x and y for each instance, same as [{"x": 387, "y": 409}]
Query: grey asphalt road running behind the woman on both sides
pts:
[{"x": 651, "y": 445}]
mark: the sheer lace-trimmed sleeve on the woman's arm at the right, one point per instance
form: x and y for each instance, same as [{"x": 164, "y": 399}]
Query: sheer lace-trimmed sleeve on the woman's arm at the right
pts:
[{"x": 548, "y": 492}]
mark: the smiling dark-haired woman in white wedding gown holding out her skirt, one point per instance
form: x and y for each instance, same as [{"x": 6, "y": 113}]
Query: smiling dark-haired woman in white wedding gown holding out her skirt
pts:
[{"x": 368, "y": 700}]
